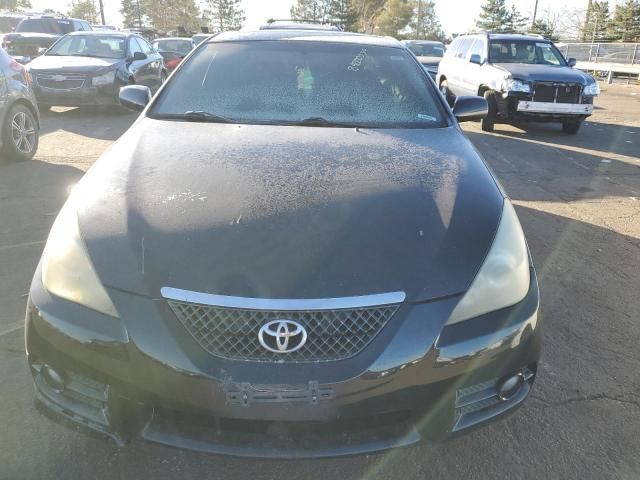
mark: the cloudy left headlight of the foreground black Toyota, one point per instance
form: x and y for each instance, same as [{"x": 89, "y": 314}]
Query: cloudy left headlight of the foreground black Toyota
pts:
[{"x": 67, "y": 271}]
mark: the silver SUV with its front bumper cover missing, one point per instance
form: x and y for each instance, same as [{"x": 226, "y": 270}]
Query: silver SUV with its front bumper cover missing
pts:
[{"x": 523, "y": 78}]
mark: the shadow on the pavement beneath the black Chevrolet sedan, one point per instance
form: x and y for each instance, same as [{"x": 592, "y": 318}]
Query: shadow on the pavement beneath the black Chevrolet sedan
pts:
[{"x": 104, "y": 123}]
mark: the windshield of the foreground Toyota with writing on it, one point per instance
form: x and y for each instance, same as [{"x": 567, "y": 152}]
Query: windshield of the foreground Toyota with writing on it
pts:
[{"x": 304, "y": 81}]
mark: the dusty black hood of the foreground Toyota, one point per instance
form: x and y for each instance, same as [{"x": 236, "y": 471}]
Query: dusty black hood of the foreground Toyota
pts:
[{"x": 288, "y": 212}]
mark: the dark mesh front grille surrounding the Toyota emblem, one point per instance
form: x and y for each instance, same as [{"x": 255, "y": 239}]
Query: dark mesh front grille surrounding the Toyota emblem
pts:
[{"x": 331, "y": 334}]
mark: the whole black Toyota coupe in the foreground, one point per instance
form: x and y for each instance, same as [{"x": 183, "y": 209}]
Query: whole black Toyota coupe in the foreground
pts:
[{"x": 294, "y": 252}]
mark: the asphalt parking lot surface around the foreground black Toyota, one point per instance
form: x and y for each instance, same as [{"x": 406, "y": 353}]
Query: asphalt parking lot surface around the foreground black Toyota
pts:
[{"x": 578, "y": 198}]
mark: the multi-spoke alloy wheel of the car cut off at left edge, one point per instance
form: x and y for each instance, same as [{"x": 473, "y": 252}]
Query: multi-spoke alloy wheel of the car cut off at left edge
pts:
[{"x": 19, "y": 134}]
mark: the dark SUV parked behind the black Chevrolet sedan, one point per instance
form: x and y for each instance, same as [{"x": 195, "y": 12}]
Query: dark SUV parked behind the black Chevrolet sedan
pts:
[{"x": 35, "y": 34}]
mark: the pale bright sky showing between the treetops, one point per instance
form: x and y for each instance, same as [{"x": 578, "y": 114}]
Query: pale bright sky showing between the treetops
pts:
[{"x": 455, "y": 15}]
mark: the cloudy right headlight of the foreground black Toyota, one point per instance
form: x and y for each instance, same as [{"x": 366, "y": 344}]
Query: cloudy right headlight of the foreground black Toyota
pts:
[{"x": 503, "y": 279}]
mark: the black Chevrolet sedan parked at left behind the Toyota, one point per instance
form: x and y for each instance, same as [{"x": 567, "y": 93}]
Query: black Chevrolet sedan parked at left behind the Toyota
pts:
[{"x": 88, "y": 68}]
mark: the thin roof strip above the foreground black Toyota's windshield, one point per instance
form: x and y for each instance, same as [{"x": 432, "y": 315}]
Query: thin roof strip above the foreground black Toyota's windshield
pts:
[{"x": 308, "y": 35}]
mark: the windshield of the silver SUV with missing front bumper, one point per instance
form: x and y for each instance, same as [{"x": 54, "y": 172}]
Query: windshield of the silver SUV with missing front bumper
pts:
[{"x": 525, "y": 51}]
